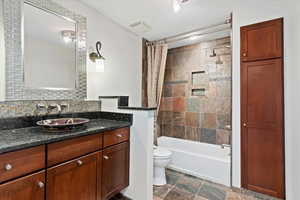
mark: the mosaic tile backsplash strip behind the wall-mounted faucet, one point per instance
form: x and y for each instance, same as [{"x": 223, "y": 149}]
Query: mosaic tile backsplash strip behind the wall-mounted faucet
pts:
[{"x": 11, "y": 109}]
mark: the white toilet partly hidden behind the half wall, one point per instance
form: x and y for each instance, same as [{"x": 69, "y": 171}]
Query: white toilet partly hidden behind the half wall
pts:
[{"x": 161, "y": 158}]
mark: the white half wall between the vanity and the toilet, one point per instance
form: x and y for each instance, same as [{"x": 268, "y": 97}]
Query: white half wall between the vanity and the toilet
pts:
[{"x": 141, "y": 151}]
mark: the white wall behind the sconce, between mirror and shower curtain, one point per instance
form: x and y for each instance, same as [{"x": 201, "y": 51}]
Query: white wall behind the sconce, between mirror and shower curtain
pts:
[{"x": 122, "y": 51}]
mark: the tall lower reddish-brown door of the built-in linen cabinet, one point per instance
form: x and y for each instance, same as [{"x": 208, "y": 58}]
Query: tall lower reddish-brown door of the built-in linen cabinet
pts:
[{"x": 262, "y": 127}]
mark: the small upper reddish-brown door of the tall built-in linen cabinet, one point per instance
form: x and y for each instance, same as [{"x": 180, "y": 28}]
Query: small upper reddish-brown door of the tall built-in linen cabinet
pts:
[{"x": 262, "y": 41}]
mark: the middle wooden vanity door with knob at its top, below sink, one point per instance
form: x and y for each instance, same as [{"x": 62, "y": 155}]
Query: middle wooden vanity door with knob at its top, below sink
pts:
[{"x": 76, "y": 179}]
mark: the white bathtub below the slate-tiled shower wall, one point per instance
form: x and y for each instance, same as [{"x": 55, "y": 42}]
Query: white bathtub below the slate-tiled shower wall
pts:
[{"x": 206, "y": 161}]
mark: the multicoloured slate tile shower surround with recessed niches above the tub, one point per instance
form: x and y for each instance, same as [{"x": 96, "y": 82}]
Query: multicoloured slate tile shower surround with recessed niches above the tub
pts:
[{"x": 196, "y": 102}]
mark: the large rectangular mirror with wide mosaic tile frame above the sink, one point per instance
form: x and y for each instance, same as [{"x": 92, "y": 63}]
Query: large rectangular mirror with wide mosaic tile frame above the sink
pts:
[{"x": 45, "y": 51}]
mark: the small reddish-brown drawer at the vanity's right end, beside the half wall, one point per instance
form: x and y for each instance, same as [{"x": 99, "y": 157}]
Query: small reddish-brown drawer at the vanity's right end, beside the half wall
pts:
[{"x": 115, "y": 137}]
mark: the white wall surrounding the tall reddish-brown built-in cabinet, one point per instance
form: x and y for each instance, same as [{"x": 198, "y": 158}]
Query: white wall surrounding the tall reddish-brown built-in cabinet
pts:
[{"x": 249, "y": 12}]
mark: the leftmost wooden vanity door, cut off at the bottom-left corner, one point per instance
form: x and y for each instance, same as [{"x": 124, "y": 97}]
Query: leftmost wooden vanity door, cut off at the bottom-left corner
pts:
[{"x": 26, "y": 188}]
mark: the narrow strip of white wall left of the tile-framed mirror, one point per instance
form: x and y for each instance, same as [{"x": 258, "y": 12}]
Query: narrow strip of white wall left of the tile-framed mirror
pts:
[{"x": 2, "y": 55}]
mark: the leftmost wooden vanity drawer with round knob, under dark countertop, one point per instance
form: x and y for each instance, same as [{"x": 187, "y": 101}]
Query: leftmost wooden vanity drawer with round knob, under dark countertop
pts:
[{"x": 18, "y": 163}]
